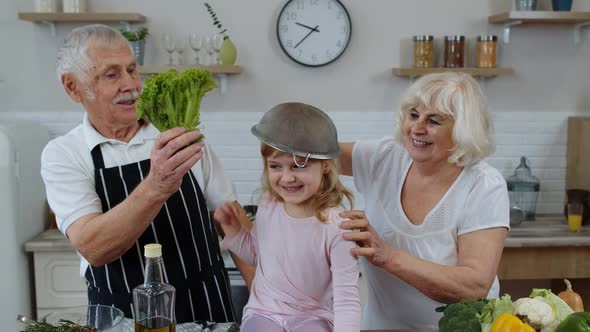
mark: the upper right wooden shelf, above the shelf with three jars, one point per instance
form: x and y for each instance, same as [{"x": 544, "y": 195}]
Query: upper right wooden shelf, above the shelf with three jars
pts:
[{"x": 540, "y": 17}]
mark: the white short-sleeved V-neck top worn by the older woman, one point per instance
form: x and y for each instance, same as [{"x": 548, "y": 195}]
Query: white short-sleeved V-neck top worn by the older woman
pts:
[{"x": 478, "y": 199}]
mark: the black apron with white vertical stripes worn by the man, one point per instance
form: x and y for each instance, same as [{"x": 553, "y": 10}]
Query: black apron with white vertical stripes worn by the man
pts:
[{"x": 190, "y": 249}]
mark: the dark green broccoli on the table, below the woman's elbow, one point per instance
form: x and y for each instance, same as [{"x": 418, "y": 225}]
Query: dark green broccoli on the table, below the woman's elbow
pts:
[{"x": 461, "y": 316}]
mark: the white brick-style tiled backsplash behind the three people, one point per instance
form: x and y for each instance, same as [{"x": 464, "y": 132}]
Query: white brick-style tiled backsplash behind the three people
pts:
[{"x": 540, "y": 136}]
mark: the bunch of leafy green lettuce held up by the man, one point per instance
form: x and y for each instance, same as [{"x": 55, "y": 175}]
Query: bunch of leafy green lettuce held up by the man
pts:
[{"x": 171, "y": 99}]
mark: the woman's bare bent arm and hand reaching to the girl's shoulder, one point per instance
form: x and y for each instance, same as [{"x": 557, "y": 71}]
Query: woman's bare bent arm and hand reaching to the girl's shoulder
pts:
[{"x": 479, "y": 254}]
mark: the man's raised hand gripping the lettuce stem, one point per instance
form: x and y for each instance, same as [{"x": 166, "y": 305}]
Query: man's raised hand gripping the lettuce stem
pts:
[{"x": 173, "y": 155}]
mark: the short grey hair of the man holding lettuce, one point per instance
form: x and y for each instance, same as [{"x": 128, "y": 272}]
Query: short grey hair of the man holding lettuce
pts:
[{"x": 72, "y": 57}]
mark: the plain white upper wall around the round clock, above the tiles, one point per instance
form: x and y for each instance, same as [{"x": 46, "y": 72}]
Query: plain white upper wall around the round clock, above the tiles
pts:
[{"x": 552, "y": 74}]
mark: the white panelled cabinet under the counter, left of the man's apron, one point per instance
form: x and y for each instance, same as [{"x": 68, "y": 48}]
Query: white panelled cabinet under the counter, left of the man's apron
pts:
[{"x": 57, "y": 273}]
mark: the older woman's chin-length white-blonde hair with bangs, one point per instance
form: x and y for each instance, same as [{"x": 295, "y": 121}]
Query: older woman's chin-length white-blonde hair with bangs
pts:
[{"x": 459, "y": 96}]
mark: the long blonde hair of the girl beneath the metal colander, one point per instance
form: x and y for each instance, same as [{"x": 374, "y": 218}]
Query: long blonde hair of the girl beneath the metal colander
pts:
[{"x": 330, "y": 194}]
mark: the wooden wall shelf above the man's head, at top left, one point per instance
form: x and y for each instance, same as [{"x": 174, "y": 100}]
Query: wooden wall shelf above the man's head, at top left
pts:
[{"x": 82, "y": 17}]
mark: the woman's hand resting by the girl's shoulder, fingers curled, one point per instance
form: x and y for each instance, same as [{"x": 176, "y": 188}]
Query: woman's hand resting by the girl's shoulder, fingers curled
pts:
[{"x": 371, "y": 246}]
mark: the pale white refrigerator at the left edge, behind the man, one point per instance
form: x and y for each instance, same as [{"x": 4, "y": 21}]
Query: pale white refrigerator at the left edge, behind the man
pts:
[{"x": 23, "y": 215}]
